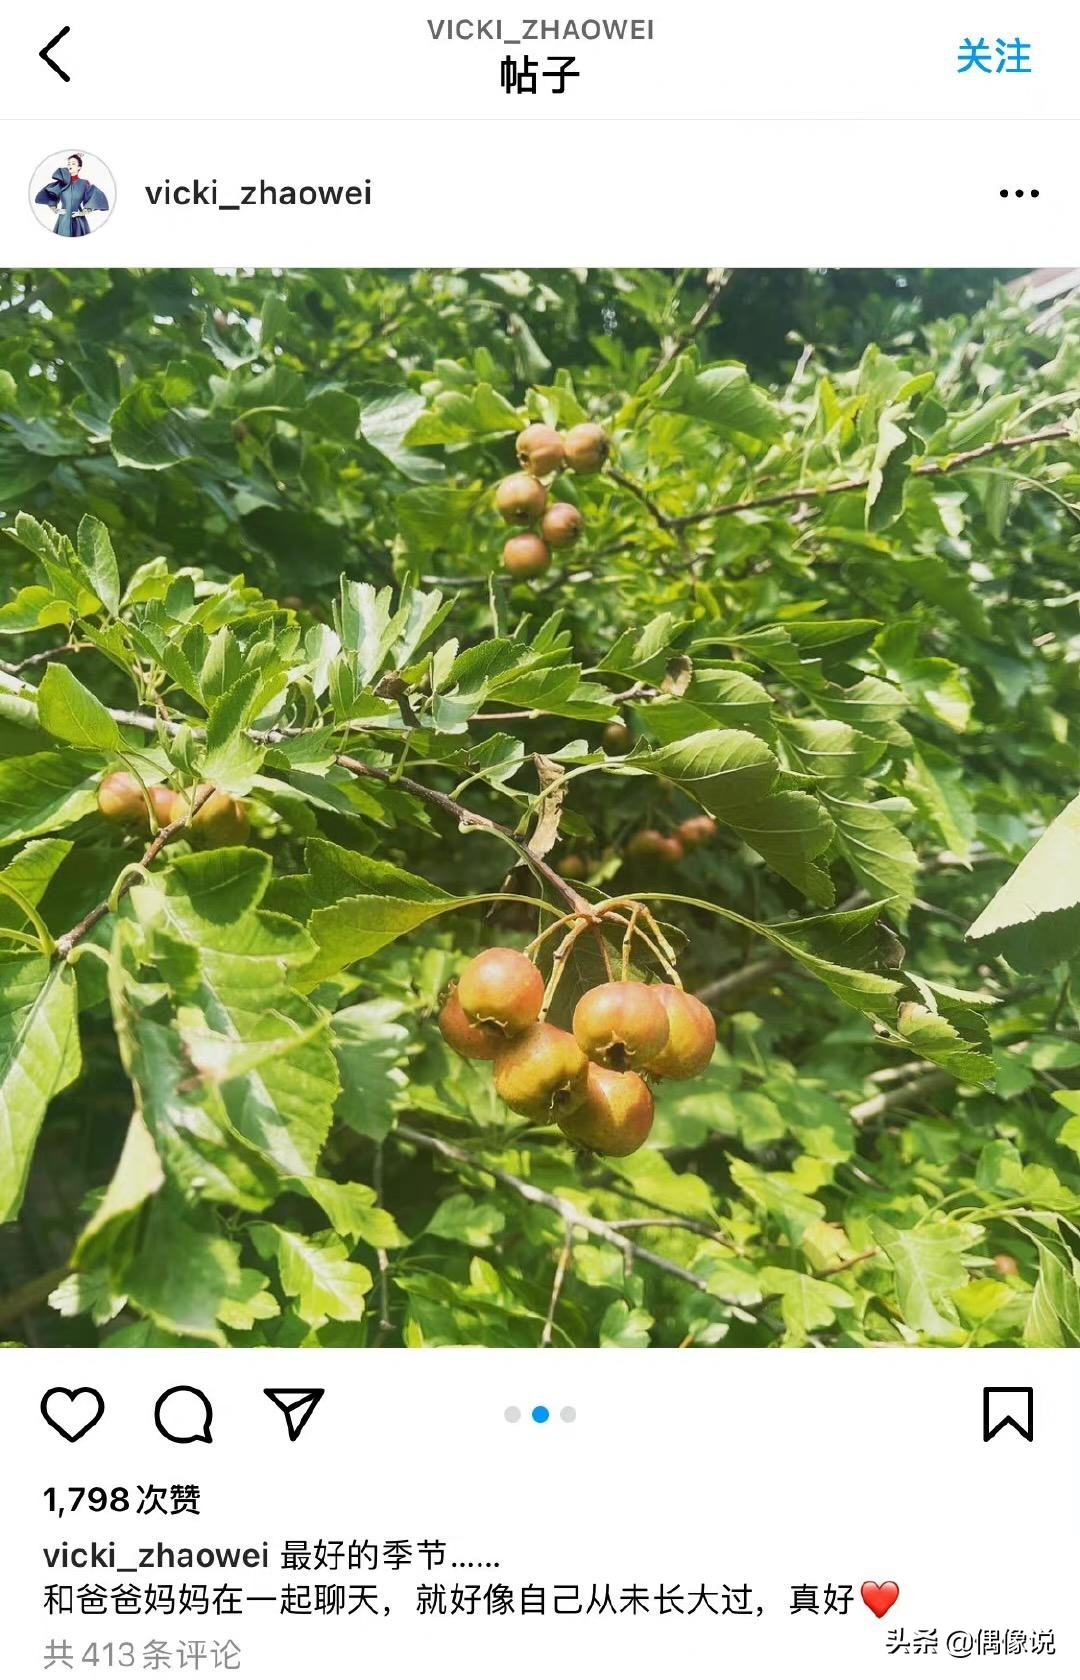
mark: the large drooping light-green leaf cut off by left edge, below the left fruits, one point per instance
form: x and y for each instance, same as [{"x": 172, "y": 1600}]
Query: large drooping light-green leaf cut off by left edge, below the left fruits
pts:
[{"x": 39, "y": 1058}]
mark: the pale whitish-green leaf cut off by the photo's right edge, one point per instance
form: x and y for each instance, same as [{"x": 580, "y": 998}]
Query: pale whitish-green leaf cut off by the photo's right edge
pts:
[{"x": 1035, "y": 918}]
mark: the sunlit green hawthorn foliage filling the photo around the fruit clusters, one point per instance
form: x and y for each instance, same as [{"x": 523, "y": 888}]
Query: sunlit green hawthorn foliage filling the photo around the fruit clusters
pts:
[{"x": 832, "y": 585}]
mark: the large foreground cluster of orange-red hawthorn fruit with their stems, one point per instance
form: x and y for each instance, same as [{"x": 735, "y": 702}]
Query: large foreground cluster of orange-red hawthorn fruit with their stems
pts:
[{"x": 590, "y": 1081}]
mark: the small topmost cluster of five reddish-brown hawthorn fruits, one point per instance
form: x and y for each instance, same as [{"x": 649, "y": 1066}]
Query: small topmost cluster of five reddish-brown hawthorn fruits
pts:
[{"x": 523, "y": 498}]
